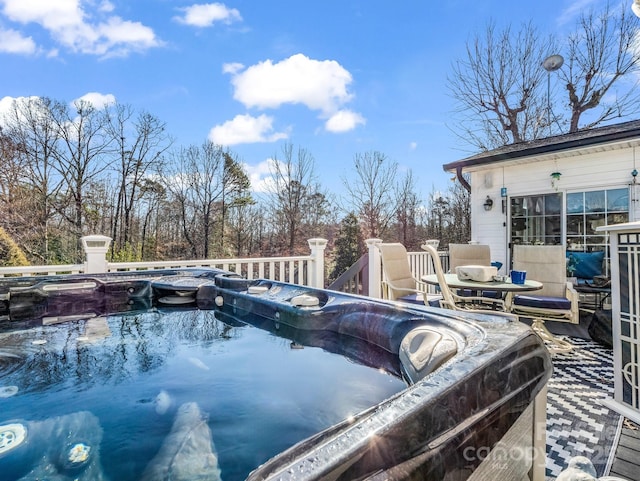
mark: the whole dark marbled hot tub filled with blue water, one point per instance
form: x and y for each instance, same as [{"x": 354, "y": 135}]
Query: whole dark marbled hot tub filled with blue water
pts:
[{"x": 447, "y": 395}]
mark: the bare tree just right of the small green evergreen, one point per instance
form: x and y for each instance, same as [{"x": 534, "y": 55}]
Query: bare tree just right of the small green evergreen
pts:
[{"x": 371, "y": 194}]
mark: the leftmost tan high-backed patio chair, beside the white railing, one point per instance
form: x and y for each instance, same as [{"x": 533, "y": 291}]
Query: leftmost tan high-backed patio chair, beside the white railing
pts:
[{"x": 398, "y": 283}]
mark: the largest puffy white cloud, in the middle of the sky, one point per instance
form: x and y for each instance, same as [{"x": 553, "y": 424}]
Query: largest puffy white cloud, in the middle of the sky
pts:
[{"x": 319, "y": 85}]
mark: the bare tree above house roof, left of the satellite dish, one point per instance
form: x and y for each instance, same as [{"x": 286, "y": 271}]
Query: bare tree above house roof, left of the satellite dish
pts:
[{"x": 498, "y": 87}]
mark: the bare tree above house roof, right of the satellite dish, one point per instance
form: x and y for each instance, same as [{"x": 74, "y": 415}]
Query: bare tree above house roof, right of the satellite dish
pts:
[{"x": 600, "y": 53}]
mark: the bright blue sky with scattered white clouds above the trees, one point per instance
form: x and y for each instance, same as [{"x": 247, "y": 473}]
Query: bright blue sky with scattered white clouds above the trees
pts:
[{"x": 336, "y": 77}]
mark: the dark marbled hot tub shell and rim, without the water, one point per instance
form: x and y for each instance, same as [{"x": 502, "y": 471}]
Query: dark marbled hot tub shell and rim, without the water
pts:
[{"x": 476, "y": 381}]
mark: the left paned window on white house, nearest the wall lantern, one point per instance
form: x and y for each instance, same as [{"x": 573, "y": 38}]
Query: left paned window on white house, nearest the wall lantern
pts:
[{"x": 536, "y": 219}]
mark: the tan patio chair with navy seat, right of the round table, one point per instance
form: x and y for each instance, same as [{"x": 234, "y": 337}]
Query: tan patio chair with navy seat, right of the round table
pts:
[{"x": 556, "y": 301}]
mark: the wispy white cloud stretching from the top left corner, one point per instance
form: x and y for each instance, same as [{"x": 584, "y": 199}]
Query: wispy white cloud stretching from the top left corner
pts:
[{"x": 69, "y": 25}]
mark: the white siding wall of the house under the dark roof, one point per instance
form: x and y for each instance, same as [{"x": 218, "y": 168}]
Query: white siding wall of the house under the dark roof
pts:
[{"x": 606, "y": 167}]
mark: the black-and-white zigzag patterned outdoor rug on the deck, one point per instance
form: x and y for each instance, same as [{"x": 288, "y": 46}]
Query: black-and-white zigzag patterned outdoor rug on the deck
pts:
[{"x": 577, "y": 424}]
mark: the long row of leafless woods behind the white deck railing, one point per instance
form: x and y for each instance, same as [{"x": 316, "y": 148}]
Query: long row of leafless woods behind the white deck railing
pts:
[{"x": 70, "y": 170}]
